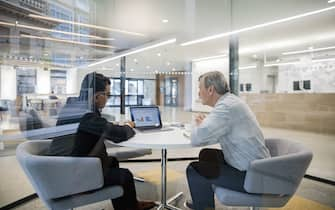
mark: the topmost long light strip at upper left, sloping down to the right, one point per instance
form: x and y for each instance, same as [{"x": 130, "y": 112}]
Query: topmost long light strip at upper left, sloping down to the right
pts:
[{"x": 85, "y": 25}]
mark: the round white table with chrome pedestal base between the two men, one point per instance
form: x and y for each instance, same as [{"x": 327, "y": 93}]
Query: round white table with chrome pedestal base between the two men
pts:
[{"x": 164, "y": 140}]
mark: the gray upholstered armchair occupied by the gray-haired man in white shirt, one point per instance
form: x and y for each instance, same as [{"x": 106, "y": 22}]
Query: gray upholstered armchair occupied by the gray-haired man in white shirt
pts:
[{"x": 273, "y": 181}]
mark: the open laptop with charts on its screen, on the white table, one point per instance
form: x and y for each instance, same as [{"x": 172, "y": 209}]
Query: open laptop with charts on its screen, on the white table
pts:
[{"x": 147, "y": 118}]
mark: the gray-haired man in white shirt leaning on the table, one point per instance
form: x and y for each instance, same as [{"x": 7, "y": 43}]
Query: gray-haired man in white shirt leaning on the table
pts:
[{"x": 232, "y": 124}]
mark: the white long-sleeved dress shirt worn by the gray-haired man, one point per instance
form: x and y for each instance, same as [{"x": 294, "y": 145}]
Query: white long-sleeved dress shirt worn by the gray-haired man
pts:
[{"x": 232, "y": 124}]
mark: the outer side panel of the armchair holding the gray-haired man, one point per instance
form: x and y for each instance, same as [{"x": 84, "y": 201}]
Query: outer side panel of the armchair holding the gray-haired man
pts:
[{"x": 277, "y": 175}]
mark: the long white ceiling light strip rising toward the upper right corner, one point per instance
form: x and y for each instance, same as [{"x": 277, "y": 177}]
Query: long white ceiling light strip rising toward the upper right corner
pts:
[{"x": 257, "y": 26}]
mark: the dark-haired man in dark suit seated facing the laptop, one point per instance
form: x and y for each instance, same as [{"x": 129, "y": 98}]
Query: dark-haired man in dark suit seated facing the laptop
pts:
[{"x": 90, "y": 136}]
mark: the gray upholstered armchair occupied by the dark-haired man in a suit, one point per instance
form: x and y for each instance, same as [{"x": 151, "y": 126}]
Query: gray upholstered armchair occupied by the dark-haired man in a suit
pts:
[{"x": 64, "y": 182}]
